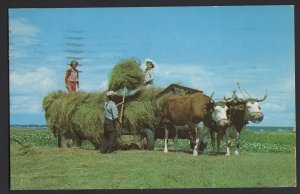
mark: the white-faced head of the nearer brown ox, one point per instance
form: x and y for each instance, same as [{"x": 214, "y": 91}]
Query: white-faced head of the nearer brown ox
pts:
[{"x": 219, "y": 113}]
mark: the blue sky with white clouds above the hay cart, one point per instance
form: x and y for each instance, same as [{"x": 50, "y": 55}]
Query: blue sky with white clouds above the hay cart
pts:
[{"x": 209, "y": 48}]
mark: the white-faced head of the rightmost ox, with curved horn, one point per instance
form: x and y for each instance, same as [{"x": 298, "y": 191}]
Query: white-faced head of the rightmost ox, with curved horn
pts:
[{"x": 253, "y": 110}]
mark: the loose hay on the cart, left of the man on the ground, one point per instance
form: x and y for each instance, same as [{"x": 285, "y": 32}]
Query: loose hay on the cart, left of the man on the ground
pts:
[{"x": 79, "y": 114}]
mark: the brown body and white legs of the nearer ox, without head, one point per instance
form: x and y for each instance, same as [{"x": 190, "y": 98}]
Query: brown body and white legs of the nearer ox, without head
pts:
[{"x": 186, "y": 110}]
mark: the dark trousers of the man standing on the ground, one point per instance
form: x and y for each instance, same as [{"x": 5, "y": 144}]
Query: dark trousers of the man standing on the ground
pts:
[{"x": 109, "y": 140}]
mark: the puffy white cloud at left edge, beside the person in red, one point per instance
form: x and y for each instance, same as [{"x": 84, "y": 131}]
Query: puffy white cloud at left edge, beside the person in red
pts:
[{"x": 40, "y": 81}]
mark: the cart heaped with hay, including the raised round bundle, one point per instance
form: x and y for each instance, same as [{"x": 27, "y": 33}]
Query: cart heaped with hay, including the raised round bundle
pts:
[{"x": 77, "y": 117}]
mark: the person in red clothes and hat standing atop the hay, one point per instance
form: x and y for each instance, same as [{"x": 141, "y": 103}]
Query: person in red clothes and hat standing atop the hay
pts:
[{"x": 72, "y": 77}]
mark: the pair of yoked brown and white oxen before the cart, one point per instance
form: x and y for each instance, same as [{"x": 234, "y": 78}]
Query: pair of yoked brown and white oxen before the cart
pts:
[{"x": 205, "y": 117}]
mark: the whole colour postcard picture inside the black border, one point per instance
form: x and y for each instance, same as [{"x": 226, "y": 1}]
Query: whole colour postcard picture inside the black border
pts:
[{"x": 148, "y": 97}]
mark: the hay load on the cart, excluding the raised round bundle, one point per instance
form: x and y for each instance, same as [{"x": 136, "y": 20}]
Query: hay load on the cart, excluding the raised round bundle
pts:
[{"x": 82, "y": 114}]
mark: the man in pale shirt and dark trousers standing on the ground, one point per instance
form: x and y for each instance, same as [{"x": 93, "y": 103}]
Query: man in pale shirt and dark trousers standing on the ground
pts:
[{"x": 109, "y": 140}]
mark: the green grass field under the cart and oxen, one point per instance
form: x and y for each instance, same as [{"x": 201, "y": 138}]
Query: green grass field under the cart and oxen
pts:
[{"x": 42, "y": 166}]
